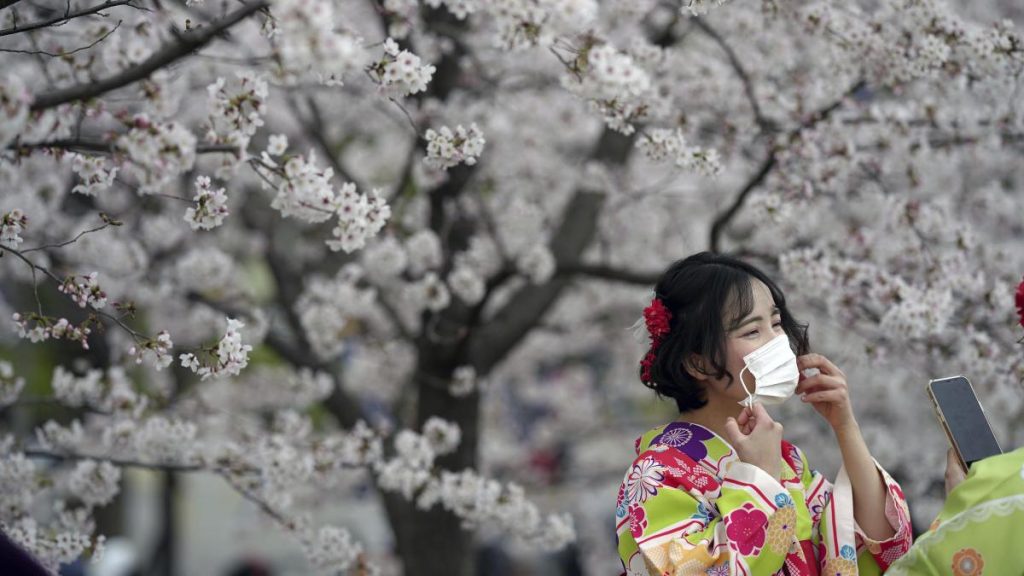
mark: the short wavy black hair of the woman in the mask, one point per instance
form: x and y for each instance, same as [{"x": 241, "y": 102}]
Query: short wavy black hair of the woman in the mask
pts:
[{"x": 697, "y": 291}]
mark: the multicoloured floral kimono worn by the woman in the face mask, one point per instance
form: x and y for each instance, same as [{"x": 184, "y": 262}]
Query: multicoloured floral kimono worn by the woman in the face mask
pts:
[{"x": 690, "y": 506}]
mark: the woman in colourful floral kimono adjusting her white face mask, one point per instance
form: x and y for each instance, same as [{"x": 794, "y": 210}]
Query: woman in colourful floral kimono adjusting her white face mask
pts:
[{"x": 719, "y": 491}]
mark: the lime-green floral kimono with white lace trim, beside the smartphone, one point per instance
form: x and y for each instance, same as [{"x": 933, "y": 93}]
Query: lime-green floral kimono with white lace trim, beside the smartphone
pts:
[{"x": 980, "y": 527}]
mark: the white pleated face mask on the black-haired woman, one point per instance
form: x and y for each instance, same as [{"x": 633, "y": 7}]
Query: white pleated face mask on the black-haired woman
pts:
[{"x": 776, "y": 373}]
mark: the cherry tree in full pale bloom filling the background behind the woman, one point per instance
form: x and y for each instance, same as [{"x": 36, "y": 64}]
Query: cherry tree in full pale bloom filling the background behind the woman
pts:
[{"x": 306, "y": 245}]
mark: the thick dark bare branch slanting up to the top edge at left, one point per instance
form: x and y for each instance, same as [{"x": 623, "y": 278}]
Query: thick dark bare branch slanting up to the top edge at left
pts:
[{"x": 188, "y": 43}]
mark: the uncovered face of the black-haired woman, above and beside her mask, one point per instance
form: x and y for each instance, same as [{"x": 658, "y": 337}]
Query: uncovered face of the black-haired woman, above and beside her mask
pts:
[{"x": 744, "y": 337}]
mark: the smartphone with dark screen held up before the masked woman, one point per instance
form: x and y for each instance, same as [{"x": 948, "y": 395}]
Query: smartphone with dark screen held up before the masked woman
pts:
[{"x": 964, "y": 420}]
